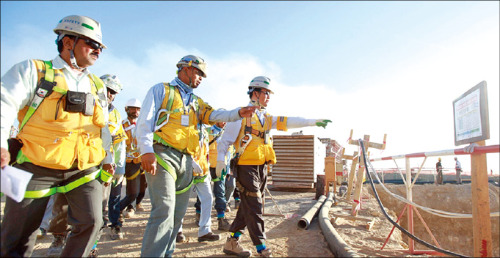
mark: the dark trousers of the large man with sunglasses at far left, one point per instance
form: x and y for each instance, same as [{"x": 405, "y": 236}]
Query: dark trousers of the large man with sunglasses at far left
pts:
[{"x": 21, "y": 220}]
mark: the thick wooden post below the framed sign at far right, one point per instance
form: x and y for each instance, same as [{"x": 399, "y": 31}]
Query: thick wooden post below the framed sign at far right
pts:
[{"x": 481, "y": 220}]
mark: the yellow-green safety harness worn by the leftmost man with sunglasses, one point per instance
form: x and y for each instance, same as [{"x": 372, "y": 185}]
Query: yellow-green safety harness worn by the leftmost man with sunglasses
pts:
[{"x": 45, "y": 87}]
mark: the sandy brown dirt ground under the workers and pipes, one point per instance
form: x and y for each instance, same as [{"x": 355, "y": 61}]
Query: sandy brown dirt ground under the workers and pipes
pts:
[{"x": 287, "y": 240}]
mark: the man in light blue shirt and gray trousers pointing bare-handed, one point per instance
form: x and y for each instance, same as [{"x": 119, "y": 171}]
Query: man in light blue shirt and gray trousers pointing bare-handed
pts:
[{"x": 168, "y": 136}]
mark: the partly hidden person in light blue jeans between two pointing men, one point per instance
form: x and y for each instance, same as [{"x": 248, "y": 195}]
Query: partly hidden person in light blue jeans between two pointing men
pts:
[{"x": 202, "y": 186}]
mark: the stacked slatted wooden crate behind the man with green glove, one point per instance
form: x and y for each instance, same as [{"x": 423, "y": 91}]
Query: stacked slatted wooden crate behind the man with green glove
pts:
[{"x": 300, "y": 159}]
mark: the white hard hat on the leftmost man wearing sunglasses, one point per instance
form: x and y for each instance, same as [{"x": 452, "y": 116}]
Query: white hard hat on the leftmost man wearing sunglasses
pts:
[{"x": 79, "y": 25}]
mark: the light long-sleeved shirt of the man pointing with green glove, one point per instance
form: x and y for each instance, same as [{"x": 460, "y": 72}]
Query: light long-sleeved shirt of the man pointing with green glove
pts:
[{"x": 232, "y": 130}]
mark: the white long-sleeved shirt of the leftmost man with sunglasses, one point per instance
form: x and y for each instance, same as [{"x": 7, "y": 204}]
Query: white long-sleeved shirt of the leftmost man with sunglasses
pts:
[{"x": 18, "y": 88}]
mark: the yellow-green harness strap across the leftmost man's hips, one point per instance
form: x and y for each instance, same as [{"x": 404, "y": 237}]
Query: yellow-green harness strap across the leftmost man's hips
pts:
[{"x": 103, "y": 175}]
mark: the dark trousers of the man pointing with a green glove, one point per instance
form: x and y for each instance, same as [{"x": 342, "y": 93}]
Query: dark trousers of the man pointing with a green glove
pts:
[{"x": 251, "y": 182}]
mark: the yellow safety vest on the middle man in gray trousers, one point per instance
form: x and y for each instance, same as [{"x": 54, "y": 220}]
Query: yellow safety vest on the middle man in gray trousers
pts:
[{"x": 184, "y": 138}]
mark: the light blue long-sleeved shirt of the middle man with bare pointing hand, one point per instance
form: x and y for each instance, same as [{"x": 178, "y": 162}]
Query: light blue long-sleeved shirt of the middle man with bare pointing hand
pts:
[{"x": 151, "y": 105}]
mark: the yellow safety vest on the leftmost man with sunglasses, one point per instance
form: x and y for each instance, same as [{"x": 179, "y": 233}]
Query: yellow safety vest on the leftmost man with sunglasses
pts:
[{"x": 54, "y": 138}]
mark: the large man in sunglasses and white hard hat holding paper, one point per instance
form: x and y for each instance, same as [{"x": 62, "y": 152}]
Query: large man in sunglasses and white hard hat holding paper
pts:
[{"x": 63, "y": 138}]
